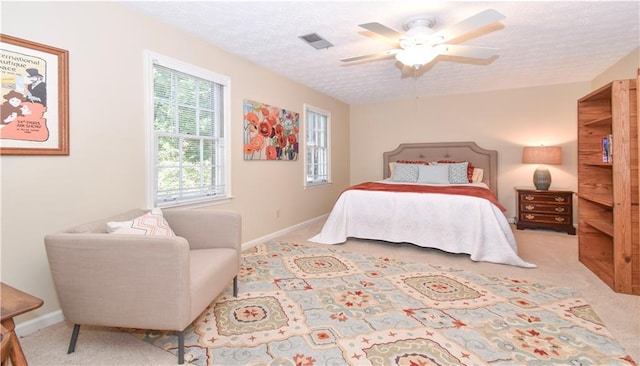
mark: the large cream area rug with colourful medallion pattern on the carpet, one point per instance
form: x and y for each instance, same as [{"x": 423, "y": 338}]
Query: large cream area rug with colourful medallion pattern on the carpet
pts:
[{"x": 307, "y": 305}]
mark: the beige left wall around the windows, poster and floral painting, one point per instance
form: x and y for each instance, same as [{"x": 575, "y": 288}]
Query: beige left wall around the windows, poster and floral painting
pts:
[{"x": 105, "y": 172}]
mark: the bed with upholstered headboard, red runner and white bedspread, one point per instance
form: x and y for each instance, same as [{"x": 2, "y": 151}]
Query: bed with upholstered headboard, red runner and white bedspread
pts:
[{"x": 451, "y": 222}]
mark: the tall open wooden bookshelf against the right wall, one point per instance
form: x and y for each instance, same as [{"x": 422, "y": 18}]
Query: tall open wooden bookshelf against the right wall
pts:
[{"x": 608, "y": 226}]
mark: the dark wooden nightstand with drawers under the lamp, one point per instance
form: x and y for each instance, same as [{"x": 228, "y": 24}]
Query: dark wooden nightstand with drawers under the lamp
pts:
[{"x": 552, "y": 209}]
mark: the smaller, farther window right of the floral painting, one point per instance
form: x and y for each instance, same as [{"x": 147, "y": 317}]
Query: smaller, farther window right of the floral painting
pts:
[{"x": 318, "y": 154}]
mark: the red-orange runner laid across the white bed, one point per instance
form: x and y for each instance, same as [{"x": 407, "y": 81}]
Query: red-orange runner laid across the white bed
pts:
[{"x": 460, "y": 190}]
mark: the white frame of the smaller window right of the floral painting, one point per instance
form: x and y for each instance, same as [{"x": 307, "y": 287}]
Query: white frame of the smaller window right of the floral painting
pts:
[{"x": 309, "y": 145}]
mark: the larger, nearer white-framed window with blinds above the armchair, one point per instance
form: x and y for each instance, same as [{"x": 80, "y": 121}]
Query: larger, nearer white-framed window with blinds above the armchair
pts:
[{"x": 188, "y": 133}]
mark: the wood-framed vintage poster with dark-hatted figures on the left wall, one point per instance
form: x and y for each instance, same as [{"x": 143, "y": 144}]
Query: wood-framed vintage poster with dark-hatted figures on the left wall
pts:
[{"x": 35, "y": 98}]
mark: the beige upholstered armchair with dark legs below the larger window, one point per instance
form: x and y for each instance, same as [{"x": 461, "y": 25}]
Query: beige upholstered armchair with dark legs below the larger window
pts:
[{"x": 145, "y": 281}]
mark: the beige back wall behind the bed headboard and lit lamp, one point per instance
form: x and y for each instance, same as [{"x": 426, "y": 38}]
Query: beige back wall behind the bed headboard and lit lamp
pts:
[{"x": 501, "y": 120}]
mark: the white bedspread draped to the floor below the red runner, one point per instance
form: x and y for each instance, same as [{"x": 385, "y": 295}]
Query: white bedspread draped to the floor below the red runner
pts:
[{"x": 452, "y": 223}]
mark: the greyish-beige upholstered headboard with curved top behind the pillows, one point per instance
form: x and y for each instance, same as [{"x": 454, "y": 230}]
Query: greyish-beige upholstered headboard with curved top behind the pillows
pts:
[{"x": 457, "y": 151}]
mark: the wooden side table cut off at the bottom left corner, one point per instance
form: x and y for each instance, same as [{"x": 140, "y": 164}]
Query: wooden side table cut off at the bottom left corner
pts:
[{"x": 13, "y": 303}]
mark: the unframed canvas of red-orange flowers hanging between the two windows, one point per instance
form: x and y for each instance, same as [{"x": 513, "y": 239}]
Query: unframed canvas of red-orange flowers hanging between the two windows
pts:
[{"x": 270, "y": 133}]
